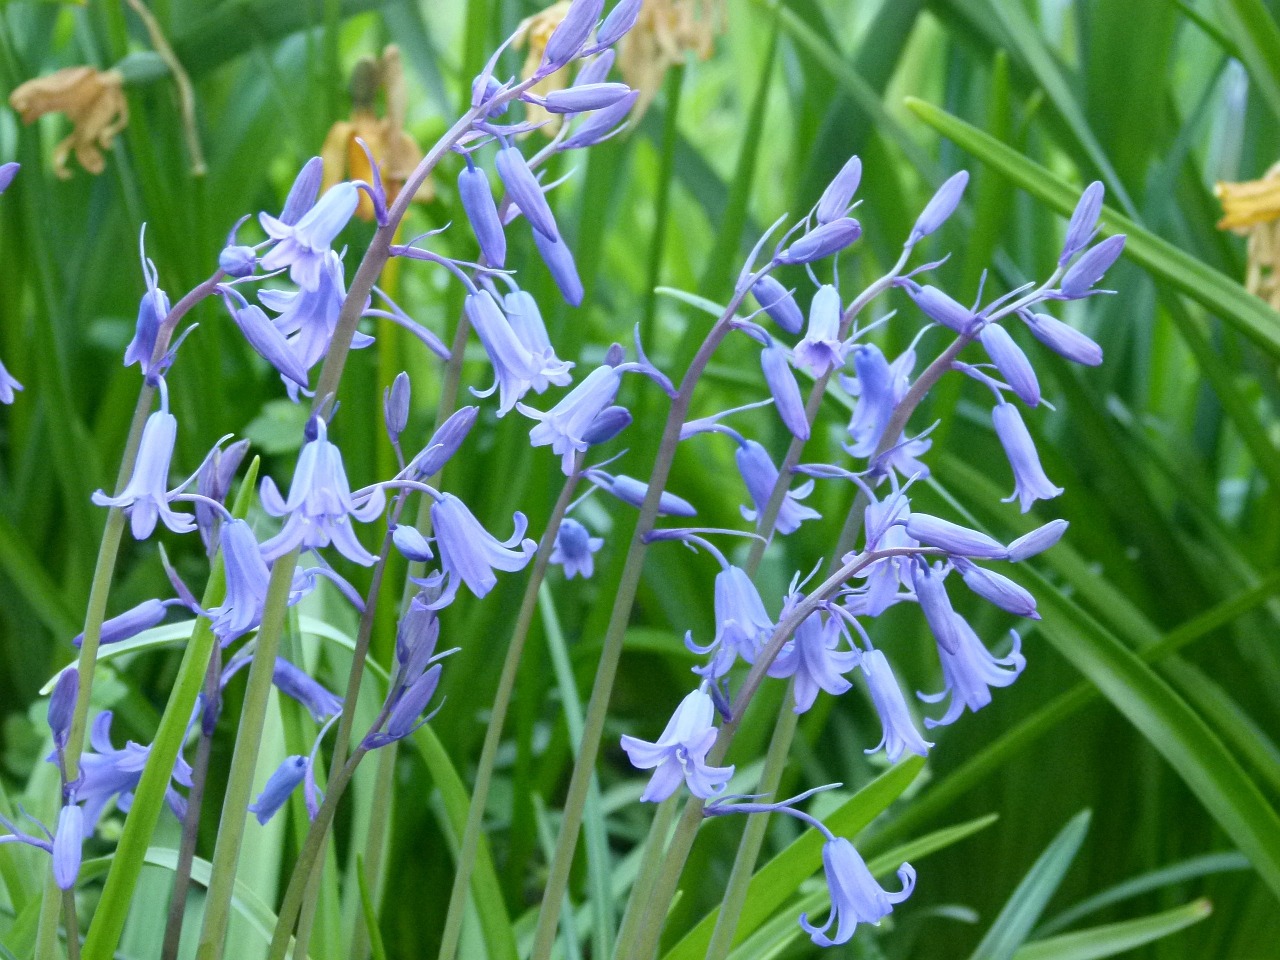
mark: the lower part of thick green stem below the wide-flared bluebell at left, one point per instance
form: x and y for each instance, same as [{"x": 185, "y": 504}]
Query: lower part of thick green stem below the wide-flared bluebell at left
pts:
[{"x": 249, "y": 735}]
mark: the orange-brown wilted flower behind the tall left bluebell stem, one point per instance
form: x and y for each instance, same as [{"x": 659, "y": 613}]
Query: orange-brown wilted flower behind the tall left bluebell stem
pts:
[{"x": 392, "y": 147}]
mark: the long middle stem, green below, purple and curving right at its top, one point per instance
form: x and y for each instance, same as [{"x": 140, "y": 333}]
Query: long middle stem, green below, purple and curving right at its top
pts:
[{"x": 593, "y": 730}]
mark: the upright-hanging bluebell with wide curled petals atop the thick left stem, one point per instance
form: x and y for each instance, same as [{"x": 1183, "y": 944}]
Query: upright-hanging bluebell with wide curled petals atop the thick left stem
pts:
[{"x": 321, "y": 508}]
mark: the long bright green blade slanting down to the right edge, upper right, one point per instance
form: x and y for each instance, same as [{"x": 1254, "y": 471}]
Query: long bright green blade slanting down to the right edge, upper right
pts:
[{"x": 1176, "y": 268}]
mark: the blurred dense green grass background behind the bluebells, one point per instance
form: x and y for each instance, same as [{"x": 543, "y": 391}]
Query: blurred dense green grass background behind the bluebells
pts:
[{"x": 1168, "y": 452}]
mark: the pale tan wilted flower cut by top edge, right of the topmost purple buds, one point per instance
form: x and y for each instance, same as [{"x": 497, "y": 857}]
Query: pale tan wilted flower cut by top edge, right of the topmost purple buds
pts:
[{"x": 665, "y": 33}]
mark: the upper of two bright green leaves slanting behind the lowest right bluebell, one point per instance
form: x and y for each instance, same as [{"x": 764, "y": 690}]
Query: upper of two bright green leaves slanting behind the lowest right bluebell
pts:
[{"x": 781, "y": 877}]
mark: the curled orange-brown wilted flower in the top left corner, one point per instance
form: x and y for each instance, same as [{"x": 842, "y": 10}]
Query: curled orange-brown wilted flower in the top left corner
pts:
[{"x": 93, "y": 100}]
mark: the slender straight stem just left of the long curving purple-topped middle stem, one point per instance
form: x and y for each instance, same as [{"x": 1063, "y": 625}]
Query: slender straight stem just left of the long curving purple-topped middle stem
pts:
[{"x": 499, "y": 715}]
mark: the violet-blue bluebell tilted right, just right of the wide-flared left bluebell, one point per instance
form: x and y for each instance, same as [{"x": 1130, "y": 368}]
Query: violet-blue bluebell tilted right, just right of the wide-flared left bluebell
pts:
[{"x": 469, "y": 554}]
